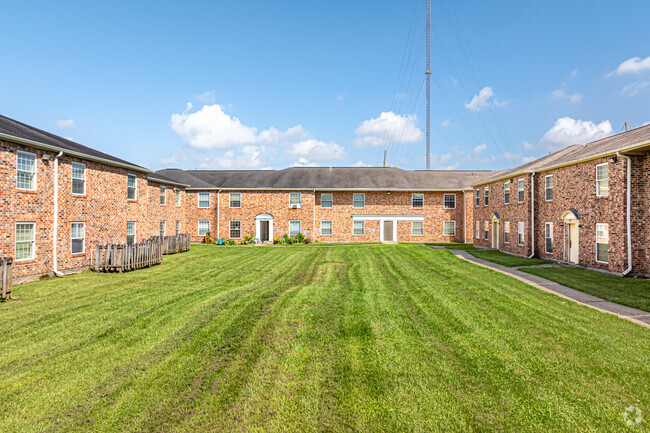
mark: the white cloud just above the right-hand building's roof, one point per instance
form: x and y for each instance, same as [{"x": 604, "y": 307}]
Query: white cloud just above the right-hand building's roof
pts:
[{"x": 567, "y": 131}]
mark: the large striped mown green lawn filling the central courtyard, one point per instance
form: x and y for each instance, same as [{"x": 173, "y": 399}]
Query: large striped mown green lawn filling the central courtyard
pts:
[{"x": 359, "y": 338}]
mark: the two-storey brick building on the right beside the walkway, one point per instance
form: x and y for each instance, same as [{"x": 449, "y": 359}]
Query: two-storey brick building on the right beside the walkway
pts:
[{"x": 585, "y": 204}]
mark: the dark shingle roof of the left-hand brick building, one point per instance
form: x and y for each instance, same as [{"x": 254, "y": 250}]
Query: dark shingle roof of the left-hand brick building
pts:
[{"x": 26, "y": 132}]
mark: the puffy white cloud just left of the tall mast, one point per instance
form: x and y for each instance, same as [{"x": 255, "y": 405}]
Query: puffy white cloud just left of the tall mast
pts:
[{"x": 388, "y": 128}]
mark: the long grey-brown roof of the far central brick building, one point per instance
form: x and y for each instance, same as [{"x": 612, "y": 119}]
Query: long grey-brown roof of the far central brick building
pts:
[{"x": 328, "y": 178}]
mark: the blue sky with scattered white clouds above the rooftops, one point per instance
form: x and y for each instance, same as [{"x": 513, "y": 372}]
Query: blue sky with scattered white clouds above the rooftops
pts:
[{"x": 273, "y": 84}]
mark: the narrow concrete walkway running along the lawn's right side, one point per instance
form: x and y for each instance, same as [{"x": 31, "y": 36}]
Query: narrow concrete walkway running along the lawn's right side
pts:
[{"x": 637, "y": 316}]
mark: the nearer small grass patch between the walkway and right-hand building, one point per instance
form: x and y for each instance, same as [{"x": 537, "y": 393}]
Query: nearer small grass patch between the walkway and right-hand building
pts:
[{"x": 633, "y": 292}]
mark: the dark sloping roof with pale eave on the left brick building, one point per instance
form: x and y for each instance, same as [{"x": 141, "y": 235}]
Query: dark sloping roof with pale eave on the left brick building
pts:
[{"x": 14, "y": 130}]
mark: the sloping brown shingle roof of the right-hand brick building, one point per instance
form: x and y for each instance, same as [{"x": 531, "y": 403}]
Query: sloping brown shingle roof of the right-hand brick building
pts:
[{"x": 626, "y": 141}]
